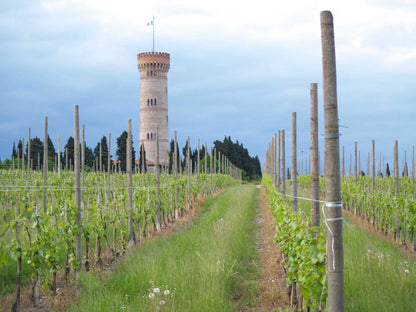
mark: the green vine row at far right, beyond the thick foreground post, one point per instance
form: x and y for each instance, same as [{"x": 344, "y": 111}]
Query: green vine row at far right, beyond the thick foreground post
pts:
[{"x": 388, "y": 211}]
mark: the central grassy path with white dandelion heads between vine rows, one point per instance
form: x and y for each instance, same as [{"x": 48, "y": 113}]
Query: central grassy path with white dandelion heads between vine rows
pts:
[{"x": 212, "y": 266}]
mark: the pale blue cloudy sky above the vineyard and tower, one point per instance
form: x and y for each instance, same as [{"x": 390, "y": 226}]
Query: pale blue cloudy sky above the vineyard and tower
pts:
[{"x": 237, "y": 68}]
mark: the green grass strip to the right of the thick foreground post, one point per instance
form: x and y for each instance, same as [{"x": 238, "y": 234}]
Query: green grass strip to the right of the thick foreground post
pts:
[{"x": 375, "y": 276}]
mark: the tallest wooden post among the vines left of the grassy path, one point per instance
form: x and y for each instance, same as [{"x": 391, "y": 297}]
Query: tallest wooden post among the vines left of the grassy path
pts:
[{"x": 77, "y": 189}]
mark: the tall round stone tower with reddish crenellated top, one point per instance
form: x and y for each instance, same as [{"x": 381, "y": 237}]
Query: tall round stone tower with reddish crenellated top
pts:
[{"x": 154, "y": 67}]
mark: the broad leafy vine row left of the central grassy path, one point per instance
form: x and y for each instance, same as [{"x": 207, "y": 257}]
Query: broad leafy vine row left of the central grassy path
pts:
[{"x": 42, "y": 238}]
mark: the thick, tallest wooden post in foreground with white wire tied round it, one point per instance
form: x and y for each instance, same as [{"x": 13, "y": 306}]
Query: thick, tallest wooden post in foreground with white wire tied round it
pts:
[{"x": 333, "y": 221}]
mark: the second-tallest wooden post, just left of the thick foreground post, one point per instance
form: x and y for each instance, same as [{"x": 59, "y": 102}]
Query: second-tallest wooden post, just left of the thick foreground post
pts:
[{"x": 314, "y": 166}]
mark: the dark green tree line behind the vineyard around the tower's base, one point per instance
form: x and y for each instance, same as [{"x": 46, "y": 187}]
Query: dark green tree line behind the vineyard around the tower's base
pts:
[{"x": 235, "y": 152}]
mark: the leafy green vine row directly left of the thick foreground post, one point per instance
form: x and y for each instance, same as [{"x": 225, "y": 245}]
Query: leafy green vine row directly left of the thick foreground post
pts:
[{"x": 303, "y": 249}]
